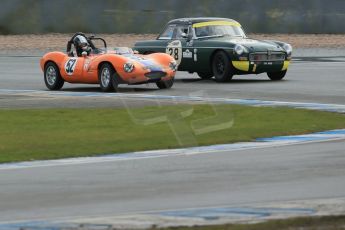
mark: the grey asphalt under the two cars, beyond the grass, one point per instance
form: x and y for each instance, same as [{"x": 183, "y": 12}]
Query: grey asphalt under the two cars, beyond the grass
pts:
[{"x": 319, "y": 80}]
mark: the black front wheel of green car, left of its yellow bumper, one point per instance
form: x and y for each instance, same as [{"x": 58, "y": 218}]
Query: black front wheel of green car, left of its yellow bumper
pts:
[{"x": 221, "y": 67}]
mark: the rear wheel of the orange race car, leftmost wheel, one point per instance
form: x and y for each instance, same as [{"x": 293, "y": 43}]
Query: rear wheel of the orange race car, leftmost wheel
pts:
[{"x": 52, "y": 76}]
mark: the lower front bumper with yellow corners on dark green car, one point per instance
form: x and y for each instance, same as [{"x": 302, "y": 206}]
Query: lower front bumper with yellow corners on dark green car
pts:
[{"x": 247, "y": 67}]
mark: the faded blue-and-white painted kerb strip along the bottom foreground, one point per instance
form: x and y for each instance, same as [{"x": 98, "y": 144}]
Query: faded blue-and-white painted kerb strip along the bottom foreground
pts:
[{"x": 191, "y": 217}]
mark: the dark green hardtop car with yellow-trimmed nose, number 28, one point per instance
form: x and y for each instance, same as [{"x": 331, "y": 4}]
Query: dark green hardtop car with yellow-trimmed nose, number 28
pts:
[{"x": 218, "y": 47}]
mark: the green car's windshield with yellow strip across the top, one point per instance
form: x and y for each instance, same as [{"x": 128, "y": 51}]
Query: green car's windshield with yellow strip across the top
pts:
[{"x": 218, "y": 29}]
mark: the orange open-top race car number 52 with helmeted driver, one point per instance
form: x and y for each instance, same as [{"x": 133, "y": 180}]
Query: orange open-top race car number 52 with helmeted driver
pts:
[{"x": 85, "y": 63}]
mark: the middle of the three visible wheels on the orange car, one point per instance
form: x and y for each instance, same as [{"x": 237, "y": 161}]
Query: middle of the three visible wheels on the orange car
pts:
[{"x": 107, "y": 78}]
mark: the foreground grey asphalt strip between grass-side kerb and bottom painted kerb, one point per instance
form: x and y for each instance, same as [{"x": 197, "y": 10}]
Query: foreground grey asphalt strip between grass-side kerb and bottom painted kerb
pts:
[{"x": 216, "y": 179}]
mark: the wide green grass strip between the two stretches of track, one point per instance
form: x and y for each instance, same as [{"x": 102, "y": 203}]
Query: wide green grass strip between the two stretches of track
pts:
[{"x": 32, "y": 134}]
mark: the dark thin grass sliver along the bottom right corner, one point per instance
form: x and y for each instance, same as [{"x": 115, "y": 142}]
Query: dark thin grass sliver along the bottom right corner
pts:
[{"x": 302, "y": 223}]
